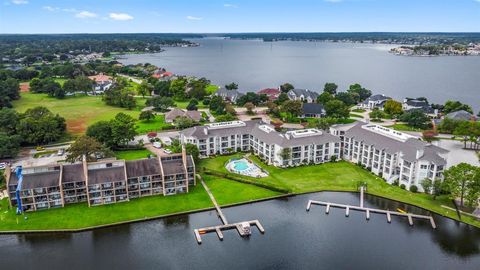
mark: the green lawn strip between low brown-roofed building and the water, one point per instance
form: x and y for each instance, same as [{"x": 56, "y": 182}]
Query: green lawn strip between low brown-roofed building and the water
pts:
[{"x": 81, "y": 216}]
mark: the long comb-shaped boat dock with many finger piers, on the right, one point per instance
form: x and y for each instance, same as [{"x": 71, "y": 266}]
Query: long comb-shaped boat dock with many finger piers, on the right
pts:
[{"x": 367, "y": 210}]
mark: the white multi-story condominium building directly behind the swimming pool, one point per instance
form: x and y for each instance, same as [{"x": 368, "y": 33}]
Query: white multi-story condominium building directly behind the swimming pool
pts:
[{"x": 307, "y": 146}]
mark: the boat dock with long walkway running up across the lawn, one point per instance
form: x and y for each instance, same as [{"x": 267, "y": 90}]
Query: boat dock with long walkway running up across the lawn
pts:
[{"x": 243, "y": 228}]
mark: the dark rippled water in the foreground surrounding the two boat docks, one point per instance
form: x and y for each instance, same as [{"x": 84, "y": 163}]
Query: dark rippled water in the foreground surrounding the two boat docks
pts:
[{"x": 294, "y": 239}]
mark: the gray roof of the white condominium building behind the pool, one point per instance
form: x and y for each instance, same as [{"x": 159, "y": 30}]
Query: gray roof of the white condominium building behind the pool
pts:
[{"x": 253, "y": 128}]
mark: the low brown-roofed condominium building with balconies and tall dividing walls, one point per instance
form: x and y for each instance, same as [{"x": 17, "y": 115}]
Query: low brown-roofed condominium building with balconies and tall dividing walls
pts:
[{"x": 103, "y": 182}]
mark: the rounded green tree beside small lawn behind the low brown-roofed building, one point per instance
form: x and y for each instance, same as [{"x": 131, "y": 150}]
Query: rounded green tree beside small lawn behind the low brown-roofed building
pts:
[{"x": 123, "y": 129}]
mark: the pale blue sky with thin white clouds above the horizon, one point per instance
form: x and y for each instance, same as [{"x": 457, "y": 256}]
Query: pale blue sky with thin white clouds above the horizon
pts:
[{"x": 217, "y": 16}]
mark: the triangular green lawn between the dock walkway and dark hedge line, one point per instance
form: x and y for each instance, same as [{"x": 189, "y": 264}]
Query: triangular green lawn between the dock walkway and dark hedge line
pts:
[{"x": 229, "y": 192}]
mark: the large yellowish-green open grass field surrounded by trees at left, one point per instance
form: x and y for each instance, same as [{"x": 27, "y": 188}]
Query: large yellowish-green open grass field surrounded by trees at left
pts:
[{"x": 79, "y": 111}]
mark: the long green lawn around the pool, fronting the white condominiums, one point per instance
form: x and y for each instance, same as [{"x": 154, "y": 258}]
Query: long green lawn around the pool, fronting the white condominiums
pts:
[{"x": 339, "y": 176}]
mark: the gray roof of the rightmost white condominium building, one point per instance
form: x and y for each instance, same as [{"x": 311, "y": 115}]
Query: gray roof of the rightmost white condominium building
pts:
[{"x": 408, "y": 147}]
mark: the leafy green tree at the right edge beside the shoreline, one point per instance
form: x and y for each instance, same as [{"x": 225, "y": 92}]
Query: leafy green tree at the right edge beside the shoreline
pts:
[{"x": 463, "y": 182}]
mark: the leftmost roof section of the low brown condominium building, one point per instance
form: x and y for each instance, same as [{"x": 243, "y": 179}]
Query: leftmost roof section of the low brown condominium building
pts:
[{"x": 37, "y": 180}]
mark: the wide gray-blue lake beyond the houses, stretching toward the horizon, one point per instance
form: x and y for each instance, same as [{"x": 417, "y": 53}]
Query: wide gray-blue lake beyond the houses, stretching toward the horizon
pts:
[{"x": 255, "y": 65}]
